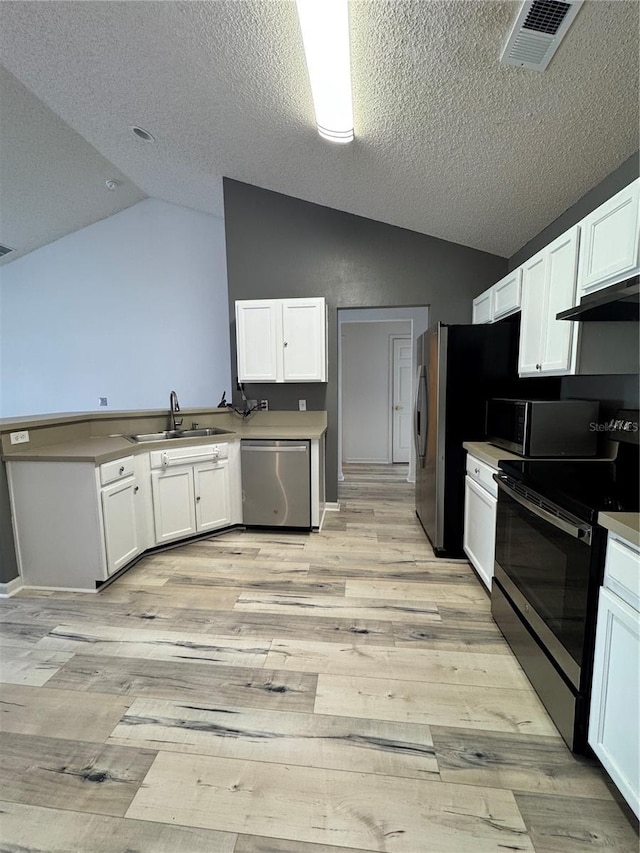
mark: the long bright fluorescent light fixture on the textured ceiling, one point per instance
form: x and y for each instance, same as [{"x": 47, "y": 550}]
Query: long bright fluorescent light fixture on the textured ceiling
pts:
[{"x": 325, "y": 35}]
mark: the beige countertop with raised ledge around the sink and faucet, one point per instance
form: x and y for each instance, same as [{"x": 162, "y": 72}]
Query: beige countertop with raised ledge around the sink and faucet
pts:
[{"x": 72, "y": 441}]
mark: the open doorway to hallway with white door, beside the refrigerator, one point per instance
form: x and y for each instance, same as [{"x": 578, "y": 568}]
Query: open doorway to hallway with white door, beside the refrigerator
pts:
[{"x": 376, "y": 367}]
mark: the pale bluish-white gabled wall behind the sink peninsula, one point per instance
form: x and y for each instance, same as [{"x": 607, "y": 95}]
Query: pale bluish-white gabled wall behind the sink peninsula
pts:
[{"x": 128, "y": 308}]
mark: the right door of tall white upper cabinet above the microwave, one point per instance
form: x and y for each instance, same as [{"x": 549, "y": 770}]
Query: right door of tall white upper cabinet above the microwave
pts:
[{"x": 558, "y": 350}]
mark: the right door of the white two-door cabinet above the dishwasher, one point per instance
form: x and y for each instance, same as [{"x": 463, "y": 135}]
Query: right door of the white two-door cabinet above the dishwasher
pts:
[{"x": 304, "y": 340}]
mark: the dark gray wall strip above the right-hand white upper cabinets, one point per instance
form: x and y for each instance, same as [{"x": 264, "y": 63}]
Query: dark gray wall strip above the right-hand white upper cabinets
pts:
[{"x": 613, "y": 183}]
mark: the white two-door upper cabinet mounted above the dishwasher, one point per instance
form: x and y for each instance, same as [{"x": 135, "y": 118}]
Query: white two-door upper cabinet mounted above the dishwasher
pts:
[{"x": 282, "y": 340}]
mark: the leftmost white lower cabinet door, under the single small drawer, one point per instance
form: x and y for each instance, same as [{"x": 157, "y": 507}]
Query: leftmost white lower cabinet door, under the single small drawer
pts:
[{"x": 120, "y": 523}]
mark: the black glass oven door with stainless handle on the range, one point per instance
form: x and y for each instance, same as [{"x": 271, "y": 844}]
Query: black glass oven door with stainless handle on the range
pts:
[{"x": 543, "y": 564}]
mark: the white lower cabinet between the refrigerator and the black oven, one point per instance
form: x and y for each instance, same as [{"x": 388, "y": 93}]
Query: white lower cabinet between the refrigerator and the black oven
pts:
[{"x": 480, "y": 507}]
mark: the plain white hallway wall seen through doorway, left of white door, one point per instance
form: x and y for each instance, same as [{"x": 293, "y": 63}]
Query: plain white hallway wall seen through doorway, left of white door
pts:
[{"x": 366, "y": 389}]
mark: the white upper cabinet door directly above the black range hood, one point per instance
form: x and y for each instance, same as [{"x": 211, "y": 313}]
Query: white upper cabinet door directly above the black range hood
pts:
[{"x": 610, "y": 241}]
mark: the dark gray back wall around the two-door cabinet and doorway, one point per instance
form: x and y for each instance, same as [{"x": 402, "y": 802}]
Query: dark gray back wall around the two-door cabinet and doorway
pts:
[{"x": 282, "y": 247}]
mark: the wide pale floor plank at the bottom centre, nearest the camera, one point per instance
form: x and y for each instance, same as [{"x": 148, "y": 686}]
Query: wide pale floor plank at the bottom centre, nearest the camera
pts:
[{"x": 309, "y": 804}]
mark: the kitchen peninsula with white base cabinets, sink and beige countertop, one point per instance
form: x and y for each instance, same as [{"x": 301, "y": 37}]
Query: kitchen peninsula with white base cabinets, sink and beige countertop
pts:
[{"x": 88, "y": 499}]
